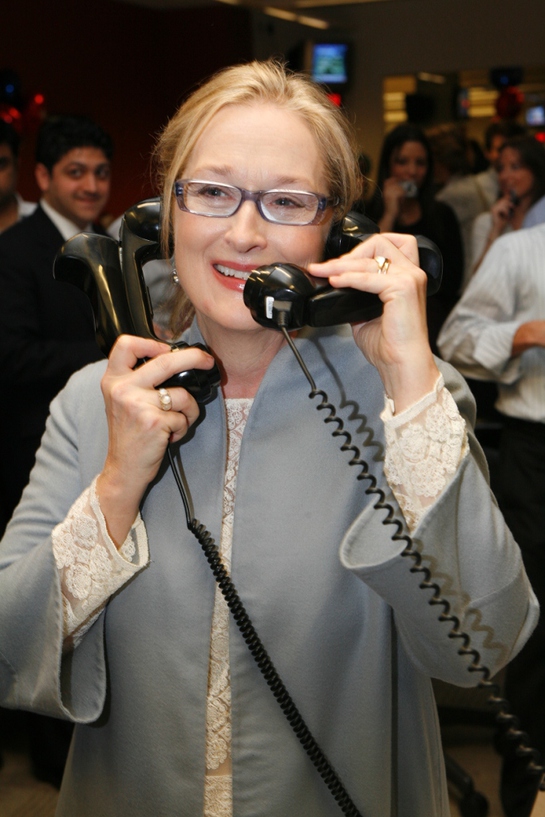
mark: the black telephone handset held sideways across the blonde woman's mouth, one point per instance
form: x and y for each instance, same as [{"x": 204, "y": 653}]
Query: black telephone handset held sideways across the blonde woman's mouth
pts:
[{"x": 285, "y": 295}]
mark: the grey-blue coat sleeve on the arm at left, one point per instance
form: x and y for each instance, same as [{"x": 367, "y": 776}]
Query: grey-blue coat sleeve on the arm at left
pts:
[{"x": 34, "y": 673}]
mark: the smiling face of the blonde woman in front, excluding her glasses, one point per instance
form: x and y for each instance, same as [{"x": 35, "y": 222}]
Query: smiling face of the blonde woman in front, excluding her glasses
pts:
[{"x": 255, "y": 147}]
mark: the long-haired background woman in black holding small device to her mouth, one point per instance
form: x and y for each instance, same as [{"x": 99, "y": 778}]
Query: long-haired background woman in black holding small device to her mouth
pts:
[{"x": 404, "y": 203}]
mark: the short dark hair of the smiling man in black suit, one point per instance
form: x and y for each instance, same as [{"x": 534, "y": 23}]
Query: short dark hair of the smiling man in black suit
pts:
[{"x": 62, "y": 133}]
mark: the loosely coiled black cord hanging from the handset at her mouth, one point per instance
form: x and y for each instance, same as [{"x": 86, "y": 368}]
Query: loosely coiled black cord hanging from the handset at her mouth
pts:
[{"x": 505, "y": 718}]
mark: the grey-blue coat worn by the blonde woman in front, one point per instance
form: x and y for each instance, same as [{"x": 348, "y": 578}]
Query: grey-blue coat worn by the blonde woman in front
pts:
[{"x": 351, "y": 633}]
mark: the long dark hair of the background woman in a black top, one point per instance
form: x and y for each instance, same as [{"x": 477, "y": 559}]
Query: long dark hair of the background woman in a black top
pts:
[{"x": 393, "y": 142}]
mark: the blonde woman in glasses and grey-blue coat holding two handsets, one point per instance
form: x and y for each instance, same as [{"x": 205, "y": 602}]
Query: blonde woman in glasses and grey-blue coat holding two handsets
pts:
[{"x": 172, "y": 714}]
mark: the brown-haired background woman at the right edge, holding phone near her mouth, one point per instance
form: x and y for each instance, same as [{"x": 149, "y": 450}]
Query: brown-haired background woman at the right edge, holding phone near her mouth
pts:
[{"x": 522, "y": 184}]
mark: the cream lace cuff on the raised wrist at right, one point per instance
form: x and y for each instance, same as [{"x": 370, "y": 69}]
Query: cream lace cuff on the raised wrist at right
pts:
[{"x": 425, "y": 445}]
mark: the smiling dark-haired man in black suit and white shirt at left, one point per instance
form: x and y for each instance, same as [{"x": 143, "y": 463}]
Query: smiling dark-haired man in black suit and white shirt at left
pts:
[{"x": 46, "y": 329}]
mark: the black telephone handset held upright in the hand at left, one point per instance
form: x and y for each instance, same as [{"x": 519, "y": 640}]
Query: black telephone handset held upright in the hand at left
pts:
[{"x": 111, "y": 275}]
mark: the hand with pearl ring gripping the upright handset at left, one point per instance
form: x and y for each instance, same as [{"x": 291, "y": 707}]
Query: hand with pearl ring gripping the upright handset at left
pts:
[{"x": 139, "y": 430}]
